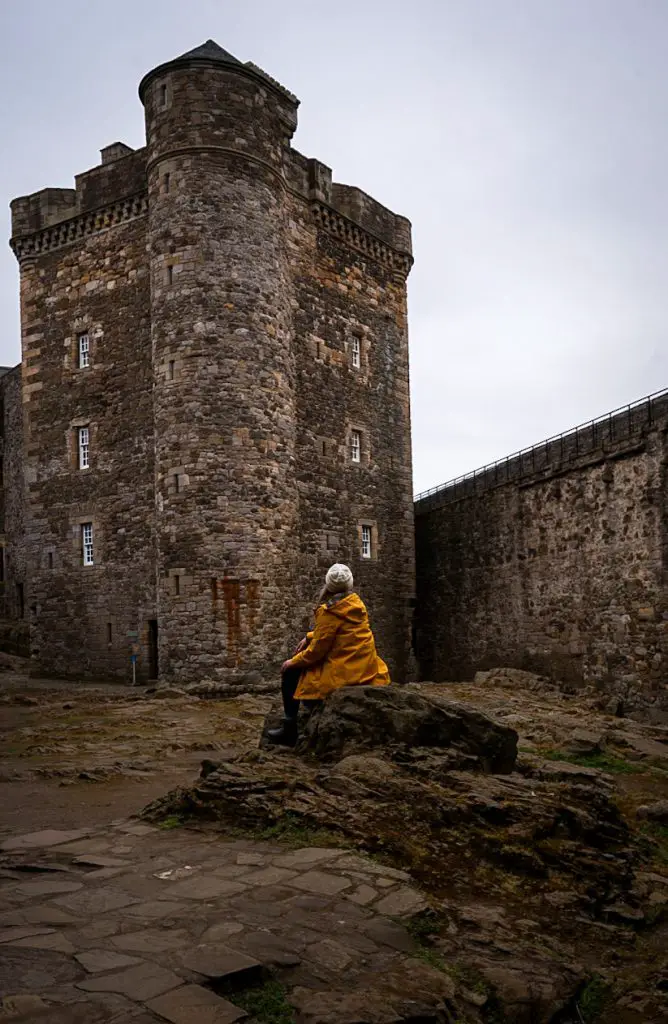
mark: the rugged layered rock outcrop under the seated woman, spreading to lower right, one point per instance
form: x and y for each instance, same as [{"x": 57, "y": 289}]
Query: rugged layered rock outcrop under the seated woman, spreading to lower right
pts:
[{"x": 523, "y": 859}]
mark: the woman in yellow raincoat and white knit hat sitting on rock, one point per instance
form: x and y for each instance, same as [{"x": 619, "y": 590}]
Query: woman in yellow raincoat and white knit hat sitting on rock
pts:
[{"x": 341, "y": 652}]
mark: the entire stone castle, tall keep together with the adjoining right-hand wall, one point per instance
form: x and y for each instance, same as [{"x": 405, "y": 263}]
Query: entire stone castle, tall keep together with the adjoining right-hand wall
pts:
[{"x": 214, "y": 406}]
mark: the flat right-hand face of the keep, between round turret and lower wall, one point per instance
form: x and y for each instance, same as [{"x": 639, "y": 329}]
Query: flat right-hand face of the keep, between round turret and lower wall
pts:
[{"x": 347, "y": 296}]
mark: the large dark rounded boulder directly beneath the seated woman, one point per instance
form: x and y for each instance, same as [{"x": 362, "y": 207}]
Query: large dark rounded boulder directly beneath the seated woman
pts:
[{"x": 364, "y": 718}]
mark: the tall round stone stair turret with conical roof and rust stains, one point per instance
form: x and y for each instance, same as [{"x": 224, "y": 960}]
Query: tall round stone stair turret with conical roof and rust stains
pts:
[{"x": 218, "y": 136}]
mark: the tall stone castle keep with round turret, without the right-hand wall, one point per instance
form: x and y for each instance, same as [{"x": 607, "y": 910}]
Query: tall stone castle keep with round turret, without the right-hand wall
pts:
[{"x": 213, "y": 405}]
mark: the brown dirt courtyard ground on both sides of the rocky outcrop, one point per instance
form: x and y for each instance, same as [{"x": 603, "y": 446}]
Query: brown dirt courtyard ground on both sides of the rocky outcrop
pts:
[{"x": 76, "y": 754}]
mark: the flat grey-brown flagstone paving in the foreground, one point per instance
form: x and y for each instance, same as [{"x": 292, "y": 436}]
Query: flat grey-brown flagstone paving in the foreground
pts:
[{"x": 128, "y": 922}]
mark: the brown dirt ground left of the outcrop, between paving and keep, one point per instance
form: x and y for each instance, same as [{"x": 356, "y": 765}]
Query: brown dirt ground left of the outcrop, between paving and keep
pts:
[{"x": 74, "y": 754}]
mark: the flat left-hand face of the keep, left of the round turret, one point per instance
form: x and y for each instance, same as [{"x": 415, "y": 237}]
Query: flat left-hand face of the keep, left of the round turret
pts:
[{"x": 85, "y": 618}]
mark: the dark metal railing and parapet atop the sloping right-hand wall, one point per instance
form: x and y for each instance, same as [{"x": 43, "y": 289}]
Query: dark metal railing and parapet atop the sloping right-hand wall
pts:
[{"x": 618, "y": 425}]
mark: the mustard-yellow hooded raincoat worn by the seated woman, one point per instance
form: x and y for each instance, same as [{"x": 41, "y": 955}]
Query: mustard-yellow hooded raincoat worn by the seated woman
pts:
[{"x": 342, "y": 652}]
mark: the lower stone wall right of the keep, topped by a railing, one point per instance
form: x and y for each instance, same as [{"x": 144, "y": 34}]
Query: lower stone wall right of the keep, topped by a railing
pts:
[{"x": 554, "y": 562}]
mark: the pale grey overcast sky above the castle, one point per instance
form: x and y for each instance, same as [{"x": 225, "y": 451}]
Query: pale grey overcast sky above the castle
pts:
[{"x": 526, "y": 141}]
